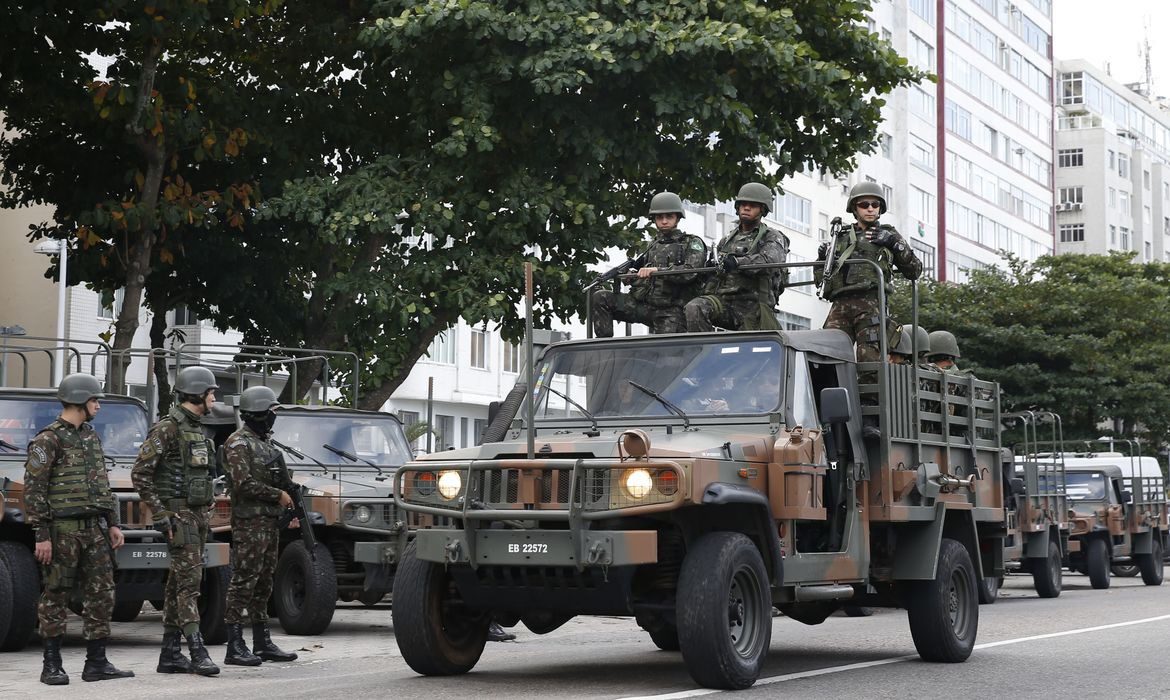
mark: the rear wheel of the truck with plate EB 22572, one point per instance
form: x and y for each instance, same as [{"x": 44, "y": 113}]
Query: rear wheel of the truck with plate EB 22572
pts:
[{"x": 945, "y": 613}]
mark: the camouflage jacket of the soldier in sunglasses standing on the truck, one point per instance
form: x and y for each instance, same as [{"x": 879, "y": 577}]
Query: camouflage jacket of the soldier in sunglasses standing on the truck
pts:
[{"x": 861, "y": 279}]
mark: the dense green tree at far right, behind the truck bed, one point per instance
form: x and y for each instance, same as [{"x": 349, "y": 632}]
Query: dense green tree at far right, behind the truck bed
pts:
[{"x": 1086, "y": 337}]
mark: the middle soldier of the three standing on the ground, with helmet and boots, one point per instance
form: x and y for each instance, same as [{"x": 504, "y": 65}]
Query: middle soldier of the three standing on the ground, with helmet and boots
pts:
[{"x": 174, "y": 477}]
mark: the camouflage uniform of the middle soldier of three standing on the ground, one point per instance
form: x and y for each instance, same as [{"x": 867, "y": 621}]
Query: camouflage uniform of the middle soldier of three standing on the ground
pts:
[{"x": 173, "y": 475}]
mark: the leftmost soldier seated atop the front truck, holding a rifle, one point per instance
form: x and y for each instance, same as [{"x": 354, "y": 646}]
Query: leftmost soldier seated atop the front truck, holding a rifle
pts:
[{"x": 656, "y": 301}]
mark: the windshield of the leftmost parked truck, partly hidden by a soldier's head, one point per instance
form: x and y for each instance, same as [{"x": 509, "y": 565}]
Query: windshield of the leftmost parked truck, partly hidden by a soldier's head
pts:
[{"x": 122, "y": 427}]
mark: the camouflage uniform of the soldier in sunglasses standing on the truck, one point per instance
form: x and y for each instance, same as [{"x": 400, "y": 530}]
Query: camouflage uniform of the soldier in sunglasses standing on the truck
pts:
[{"x": 854, "y": 290}]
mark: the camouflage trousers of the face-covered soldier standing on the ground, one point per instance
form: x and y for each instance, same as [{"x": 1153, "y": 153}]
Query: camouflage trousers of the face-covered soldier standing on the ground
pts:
[{"x": 256, "y": 544}]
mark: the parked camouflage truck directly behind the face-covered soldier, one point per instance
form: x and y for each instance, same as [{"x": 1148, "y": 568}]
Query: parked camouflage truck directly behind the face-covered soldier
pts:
[{"x": 345, "y": 461}]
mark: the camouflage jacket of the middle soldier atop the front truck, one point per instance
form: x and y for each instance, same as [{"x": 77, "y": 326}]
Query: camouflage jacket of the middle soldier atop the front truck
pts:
[{"x": 759, "y": 245}]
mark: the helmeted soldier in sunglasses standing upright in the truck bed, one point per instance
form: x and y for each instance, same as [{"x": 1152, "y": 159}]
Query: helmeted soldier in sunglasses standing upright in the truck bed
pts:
[{"x": 854, "y": 289}]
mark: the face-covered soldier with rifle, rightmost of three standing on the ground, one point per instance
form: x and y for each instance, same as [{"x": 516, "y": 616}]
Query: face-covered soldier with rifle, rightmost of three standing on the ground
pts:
[{"x": 259, "y": 478}]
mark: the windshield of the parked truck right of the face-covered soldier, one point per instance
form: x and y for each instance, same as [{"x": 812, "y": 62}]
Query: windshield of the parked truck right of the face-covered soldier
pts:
[{"x": 374, "y": 438}]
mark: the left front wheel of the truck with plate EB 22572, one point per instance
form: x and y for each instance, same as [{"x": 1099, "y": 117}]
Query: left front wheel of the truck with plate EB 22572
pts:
[{"x": 437, "y": 635}]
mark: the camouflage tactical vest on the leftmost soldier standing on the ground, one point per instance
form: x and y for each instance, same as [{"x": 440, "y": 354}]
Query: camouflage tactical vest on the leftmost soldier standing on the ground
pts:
[{"x": 79, "y": 485}]
